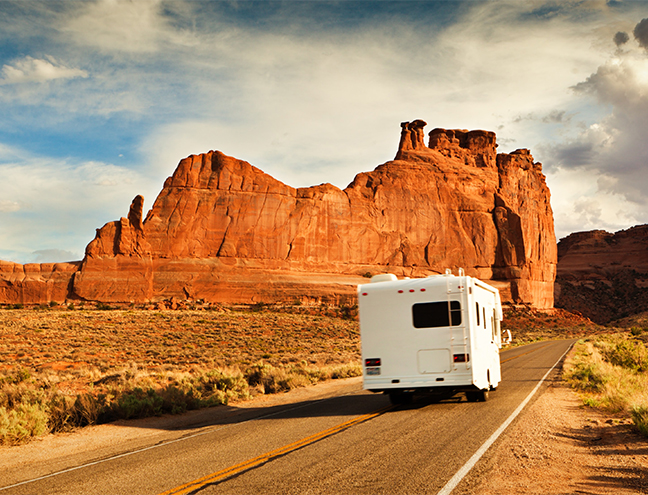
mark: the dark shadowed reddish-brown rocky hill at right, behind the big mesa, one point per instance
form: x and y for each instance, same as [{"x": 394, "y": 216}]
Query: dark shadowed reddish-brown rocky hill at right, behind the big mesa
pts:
[{"x": 603, "y": 275}]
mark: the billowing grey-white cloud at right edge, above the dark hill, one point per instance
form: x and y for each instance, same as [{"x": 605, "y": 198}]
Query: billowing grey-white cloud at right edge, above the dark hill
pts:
[{"x": 613, "y": 149}]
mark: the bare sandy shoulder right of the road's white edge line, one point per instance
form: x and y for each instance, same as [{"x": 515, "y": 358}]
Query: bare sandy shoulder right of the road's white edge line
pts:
[{"x": 556, "y": 446}]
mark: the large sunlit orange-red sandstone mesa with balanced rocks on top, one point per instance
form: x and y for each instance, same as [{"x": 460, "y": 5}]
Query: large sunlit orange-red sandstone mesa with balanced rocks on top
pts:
[{"x": 221, "y": 230}]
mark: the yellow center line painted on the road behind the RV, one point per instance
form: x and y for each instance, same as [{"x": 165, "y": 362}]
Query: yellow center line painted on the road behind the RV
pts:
[{"x": 263, "y": 458}]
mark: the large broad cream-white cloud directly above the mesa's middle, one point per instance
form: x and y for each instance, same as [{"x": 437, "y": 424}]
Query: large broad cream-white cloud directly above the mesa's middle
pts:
[{"x": 321, "y": 108}]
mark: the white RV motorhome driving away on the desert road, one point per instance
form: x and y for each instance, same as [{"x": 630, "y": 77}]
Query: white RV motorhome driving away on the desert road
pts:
[{"x": 440, "y": 332}]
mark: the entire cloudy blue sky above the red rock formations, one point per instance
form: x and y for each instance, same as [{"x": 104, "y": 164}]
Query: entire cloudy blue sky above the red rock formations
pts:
[{"x": 100, "y": 100}]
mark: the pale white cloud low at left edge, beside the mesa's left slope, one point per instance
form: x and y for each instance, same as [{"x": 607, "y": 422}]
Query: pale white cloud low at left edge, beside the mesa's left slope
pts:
[{"x": 57, "y": 205}]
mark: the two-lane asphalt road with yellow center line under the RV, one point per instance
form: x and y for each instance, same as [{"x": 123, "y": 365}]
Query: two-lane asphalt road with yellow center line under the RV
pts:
[{"x": 352, "y": 443}]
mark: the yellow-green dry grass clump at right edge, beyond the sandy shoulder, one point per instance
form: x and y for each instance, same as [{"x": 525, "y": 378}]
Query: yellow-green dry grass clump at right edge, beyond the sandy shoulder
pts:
[{"x": 611, "y": 371}]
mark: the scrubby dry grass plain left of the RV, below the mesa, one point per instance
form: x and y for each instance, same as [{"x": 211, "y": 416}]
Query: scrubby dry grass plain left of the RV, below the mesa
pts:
[{"x": 62, "y": 368}]
